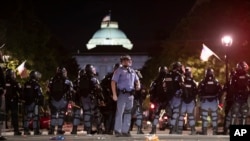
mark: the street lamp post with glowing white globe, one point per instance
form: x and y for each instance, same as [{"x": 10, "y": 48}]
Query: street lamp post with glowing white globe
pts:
[{"x": 226, "y": 42}]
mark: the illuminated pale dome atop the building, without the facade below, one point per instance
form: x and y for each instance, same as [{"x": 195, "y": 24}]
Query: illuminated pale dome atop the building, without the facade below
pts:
[{"x": 109, "y": 35}]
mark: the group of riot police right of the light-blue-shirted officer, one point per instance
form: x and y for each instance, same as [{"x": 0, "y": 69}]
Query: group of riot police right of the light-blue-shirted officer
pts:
[{"x": 176, "y": 92}]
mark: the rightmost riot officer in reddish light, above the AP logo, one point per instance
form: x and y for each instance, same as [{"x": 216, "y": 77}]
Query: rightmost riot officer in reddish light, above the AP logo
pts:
[{"x": 241, "y": 84}]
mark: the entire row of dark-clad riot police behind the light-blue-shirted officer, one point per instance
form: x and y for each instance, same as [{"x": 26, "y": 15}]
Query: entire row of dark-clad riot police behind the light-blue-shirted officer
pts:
[{"x": 174, "y": 91}]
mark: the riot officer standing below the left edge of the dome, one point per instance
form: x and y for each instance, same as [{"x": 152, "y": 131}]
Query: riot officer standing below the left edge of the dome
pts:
[{"x": 91, "y": 97}]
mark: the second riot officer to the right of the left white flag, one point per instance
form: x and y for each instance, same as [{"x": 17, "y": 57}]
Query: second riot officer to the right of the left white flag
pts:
[{"x": 59, "y": 89}]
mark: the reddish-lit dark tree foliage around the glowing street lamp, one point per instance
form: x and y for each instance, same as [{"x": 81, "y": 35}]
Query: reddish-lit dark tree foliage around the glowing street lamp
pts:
[{"x": 206, "y": 23}]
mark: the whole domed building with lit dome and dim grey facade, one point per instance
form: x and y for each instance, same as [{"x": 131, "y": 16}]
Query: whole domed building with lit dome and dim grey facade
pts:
[{"x": 105, "y": 48}]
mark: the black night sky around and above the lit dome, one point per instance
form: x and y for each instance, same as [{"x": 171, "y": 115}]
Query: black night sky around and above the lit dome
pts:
[{"x": 145, "y": 22}]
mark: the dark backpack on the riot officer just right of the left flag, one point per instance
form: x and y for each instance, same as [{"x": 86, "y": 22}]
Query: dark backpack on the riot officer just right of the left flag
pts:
[{"x": 29, "y": 92}]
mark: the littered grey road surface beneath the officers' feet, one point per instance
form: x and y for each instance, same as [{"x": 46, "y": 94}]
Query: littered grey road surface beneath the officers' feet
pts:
[{"x": 162, "y": 136}]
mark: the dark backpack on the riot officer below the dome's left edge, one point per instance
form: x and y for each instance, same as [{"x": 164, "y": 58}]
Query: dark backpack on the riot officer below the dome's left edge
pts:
[{"x": 84, "y": 84}]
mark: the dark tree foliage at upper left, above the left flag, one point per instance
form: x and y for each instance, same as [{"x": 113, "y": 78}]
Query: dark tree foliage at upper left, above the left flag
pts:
[{"x": 27, "y": 38}]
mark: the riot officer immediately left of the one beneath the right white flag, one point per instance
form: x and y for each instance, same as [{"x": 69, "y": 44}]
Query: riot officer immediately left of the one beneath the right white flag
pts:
[{"x": 188, "y": 101}]
